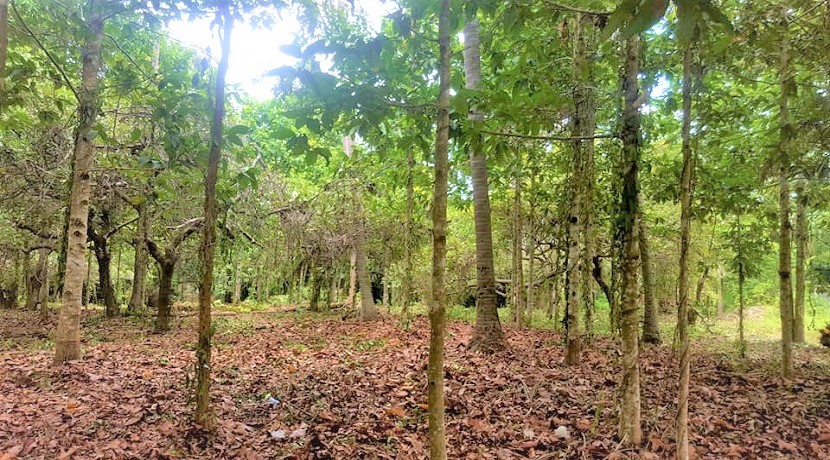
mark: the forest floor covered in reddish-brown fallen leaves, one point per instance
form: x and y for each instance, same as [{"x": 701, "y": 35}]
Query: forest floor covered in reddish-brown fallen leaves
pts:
[{"x": 296, "y": 385}]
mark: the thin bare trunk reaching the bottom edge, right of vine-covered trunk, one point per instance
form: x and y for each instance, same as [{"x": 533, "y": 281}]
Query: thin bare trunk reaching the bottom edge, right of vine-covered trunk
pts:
[{"x": 682, "y": 418}]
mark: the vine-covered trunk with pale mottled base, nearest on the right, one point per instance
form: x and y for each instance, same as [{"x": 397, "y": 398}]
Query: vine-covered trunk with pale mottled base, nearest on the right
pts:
[{"x": 630, "y": 430}]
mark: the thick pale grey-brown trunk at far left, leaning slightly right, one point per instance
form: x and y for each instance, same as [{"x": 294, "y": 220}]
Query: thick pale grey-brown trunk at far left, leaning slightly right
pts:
[{"x": 68, "y": 332}]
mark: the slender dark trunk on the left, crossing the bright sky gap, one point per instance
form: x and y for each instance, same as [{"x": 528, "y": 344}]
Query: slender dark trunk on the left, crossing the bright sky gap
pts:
[{"x": 204, "y": 416}]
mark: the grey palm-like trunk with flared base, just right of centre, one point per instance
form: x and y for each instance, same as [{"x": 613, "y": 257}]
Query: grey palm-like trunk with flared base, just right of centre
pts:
[{"x": 488, "y": 333}]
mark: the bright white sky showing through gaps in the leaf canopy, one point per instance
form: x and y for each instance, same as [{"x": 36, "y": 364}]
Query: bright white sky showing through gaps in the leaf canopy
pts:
[{"x": 256, "y": 51}]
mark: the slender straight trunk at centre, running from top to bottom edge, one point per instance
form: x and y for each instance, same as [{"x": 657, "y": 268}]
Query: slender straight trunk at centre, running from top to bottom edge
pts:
[{"x": 438, "y": 306}]
